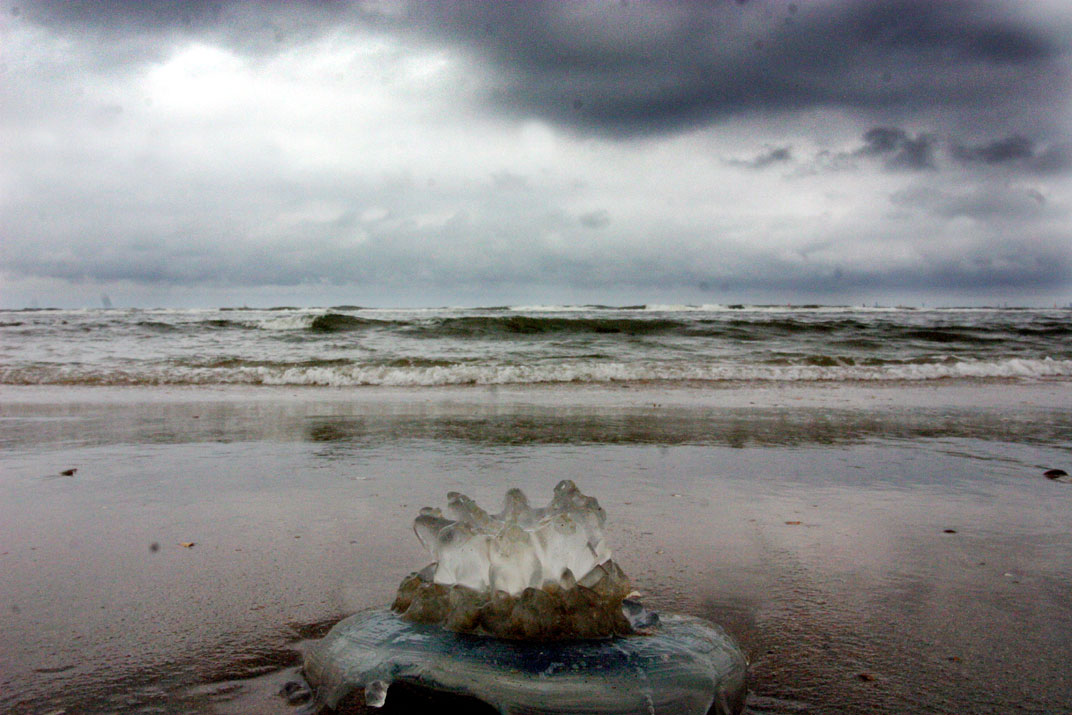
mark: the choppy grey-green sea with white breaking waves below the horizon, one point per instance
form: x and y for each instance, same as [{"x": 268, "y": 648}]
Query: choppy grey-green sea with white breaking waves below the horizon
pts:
[{"x": 352, "y": 347}]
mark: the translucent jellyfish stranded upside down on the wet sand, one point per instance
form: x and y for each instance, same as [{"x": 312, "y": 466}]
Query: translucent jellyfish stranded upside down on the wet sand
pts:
[{"x": 527, "y": 612}]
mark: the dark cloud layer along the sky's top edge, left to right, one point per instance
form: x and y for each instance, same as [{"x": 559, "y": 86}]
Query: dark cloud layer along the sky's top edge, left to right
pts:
[{"x": 634, "y": 68}]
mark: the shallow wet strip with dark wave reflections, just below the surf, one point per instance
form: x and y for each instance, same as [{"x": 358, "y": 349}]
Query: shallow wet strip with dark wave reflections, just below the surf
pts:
[{"x": 361, "y": 427}]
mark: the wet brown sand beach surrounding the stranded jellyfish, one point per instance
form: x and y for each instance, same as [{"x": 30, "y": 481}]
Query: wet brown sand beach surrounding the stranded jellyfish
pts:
[{"x": 875, "y": 549}]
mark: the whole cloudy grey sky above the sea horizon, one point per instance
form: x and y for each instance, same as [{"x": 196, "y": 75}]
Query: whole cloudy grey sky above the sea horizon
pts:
[{"x": 483, "y": 154}]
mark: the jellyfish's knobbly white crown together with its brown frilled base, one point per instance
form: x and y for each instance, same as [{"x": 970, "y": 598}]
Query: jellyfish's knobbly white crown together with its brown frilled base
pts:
[{"x": 527, "y": 574}]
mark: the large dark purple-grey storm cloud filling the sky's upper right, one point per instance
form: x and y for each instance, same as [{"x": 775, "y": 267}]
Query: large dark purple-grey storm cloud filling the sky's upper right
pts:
[{"x": 643, "y": 68}]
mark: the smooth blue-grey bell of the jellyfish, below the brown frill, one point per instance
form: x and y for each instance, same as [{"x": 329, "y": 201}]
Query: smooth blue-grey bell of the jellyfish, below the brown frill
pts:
[{"x": 686, "y": 666}]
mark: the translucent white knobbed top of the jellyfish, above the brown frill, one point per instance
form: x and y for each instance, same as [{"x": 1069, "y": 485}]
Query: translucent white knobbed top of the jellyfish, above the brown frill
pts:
[{"x": 519, "y": 547}]
